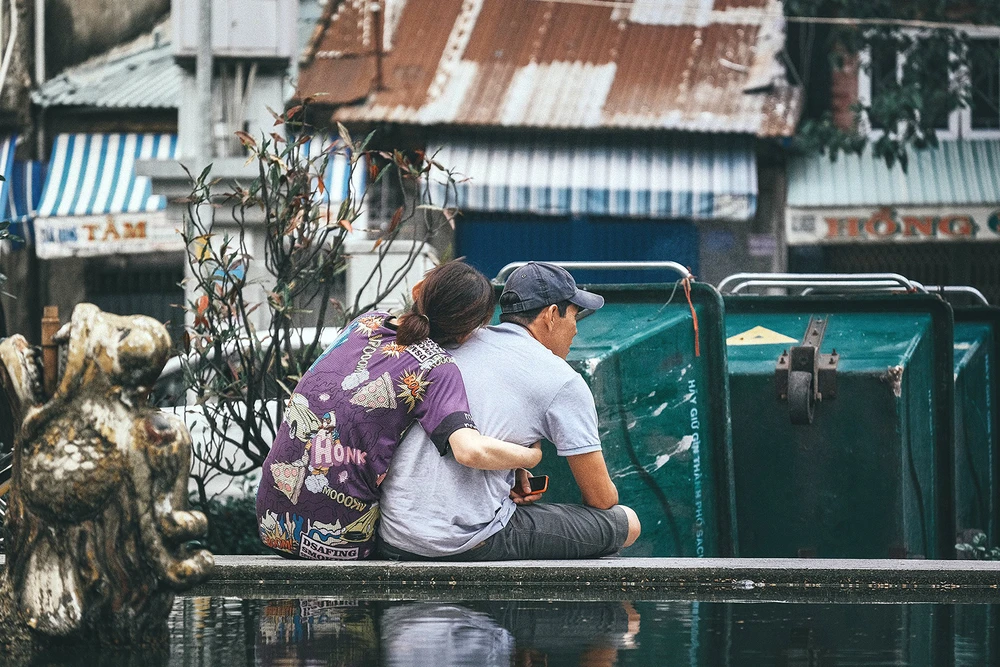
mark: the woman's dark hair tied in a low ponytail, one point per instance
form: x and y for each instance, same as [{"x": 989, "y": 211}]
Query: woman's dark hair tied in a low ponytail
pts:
[{"x": 453, "y": 301}]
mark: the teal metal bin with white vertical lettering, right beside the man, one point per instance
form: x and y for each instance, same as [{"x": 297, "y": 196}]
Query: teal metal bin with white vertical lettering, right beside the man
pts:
[{"x": 663, "y": 414}]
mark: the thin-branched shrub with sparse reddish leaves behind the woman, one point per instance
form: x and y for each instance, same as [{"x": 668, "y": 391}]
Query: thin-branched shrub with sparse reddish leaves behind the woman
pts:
[{"x": 238, "y": 376}]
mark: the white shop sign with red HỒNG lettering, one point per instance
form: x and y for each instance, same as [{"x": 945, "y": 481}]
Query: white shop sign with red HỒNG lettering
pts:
[{"x": 892, "y": 225}]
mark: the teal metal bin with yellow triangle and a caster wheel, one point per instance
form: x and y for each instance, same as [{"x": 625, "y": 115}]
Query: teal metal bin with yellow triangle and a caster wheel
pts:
[{"x": 871, "y": 476}]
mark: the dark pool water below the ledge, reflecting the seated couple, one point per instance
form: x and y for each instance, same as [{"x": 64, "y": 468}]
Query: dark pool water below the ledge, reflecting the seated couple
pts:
[{"x": 326, "y": 631}]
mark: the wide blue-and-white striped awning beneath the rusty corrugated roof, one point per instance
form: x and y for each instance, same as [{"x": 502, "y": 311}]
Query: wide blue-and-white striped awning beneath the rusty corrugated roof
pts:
[{"x": 695, "y": 177}]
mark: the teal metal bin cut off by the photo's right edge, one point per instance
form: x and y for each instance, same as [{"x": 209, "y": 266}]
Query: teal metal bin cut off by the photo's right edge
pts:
[{"x": 977, "y": 449}]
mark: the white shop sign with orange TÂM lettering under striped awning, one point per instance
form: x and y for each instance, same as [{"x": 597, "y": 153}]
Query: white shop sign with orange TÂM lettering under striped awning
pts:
[{"x": 97, "y": 235}]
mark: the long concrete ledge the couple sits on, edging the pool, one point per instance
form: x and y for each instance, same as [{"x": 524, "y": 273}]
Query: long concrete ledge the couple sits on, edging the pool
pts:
[{"x": 615, "y": 578}]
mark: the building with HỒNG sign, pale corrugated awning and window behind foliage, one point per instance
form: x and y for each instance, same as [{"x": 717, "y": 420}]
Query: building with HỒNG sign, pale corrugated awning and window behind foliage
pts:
[{"x": 936, "y": 220}]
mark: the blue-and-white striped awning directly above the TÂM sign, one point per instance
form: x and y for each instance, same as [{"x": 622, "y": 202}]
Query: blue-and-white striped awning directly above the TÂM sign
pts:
[{"x": 94, "y": 174}]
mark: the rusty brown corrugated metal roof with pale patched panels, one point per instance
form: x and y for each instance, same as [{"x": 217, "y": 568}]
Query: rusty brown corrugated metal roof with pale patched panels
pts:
[{"x": 701, "y": 66}]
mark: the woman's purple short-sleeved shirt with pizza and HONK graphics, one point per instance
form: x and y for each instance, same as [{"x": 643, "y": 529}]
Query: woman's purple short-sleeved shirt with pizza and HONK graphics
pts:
[{"x": 318, "y": 495}]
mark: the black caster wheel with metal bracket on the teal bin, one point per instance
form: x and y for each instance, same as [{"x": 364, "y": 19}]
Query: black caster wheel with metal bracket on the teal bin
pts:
[{"x": 803, "y": 376}]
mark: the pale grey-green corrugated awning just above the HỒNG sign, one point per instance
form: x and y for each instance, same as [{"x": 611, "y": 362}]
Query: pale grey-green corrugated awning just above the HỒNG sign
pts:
[{"x": 965, "y": 172}]
